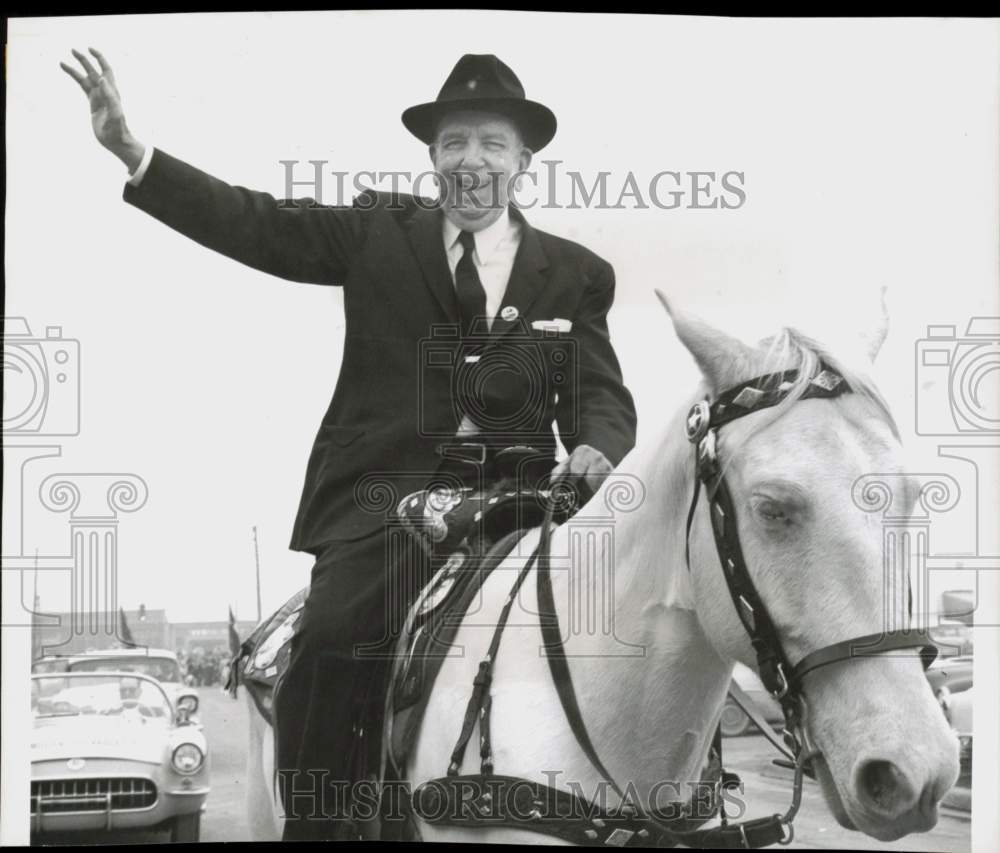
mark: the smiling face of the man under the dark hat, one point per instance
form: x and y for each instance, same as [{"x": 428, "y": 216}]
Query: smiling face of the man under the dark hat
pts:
[{"x": 477, "y": 154}]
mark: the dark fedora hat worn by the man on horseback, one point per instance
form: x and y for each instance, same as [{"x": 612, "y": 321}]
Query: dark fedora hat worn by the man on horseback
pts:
[{"x": 483, "y": 82}]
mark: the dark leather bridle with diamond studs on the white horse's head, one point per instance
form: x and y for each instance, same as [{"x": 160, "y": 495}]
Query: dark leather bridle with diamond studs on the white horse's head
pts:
[{"x": 781, "y": 679}]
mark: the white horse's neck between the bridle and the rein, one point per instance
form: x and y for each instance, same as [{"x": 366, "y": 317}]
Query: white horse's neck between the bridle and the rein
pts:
[{"x": 650, "y": 689}]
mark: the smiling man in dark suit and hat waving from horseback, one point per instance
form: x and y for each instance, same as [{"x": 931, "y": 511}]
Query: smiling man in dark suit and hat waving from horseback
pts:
[{"x": 467, "y": 331}]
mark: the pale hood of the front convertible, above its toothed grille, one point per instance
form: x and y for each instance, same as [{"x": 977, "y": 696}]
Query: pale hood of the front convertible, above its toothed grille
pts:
[{"x": 96, "y": 737}]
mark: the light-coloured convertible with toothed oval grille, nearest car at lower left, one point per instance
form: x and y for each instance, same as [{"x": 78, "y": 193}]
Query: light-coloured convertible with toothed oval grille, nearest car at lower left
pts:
[{"x": 110, "y": 751}]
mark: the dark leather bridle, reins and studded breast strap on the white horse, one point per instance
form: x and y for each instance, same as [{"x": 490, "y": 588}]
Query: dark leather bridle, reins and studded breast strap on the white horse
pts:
[{"x": 473, "y": 800}]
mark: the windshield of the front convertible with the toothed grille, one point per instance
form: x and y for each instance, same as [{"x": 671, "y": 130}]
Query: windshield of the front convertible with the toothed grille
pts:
[{"x": 79, "y": 694}]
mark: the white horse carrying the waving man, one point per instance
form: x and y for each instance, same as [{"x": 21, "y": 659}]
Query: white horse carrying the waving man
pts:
[{"x": 652, "y": 679}]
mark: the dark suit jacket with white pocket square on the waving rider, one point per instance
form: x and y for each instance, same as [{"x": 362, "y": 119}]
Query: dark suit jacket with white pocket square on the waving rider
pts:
[{"x": 394, "y": 400}]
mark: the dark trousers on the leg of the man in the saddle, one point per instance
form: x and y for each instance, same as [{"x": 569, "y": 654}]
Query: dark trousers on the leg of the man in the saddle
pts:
[{"x": 358, "y": 597}]
